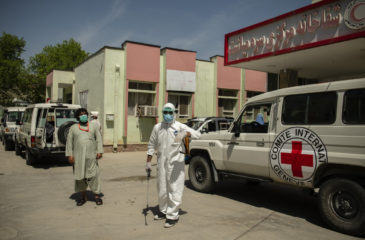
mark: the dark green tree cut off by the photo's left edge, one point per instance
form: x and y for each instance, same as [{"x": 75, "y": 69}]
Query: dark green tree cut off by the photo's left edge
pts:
[{"x": 11, "y": 66}]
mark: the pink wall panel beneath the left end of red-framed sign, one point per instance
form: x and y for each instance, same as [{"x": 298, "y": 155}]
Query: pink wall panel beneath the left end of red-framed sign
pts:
[{"x": 227, "y": 77}]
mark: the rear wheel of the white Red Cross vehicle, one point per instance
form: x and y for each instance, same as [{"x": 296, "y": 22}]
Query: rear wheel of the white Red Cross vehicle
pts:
[{"x": 342, "y": 205}]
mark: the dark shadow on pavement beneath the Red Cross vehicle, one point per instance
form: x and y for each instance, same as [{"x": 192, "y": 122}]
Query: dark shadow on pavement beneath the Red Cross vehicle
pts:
[{"x": 279, "y": 198}]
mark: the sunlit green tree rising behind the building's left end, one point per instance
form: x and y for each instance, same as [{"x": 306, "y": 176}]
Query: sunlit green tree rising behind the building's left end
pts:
[{"x": 64, "y": 56}]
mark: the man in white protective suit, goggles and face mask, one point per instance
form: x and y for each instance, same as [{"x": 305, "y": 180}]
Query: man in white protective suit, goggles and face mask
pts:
[{"x": 166, "y": 139}]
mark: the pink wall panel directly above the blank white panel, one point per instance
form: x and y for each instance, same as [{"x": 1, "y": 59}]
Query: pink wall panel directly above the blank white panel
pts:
[{"x": 180, "y": 60}]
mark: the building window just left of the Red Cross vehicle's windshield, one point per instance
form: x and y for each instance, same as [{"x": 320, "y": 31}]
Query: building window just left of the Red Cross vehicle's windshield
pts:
[{"x": 227, "y": 100}]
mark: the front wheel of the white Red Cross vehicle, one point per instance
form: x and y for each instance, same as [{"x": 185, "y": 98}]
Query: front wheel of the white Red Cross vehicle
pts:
[{"x": 200, "y": 174}]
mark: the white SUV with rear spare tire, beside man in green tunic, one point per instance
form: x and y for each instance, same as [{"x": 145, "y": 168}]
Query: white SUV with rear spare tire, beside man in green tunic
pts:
[{"x": 43, "y": 130}]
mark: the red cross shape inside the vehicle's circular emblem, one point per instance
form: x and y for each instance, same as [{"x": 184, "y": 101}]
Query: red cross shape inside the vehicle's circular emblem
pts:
[{"x": 297, "y": 159}]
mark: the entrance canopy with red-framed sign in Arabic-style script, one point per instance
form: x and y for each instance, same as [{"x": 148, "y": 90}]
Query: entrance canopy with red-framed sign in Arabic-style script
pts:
[{"x": 325, "y": 40}]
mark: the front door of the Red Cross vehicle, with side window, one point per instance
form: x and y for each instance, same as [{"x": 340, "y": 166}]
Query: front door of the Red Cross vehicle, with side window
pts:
[{"x": 247, "y": 146}]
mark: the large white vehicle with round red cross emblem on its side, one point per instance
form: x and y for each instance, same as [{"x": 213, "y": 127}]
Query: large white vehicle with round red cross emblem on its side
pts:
[{"x": 311, "y": 137}]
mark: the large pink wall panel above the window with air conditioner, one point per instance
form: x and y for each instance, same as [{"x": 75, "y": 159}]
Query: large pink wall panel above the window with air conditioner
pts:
[{"x": 143, "y": 62}]
